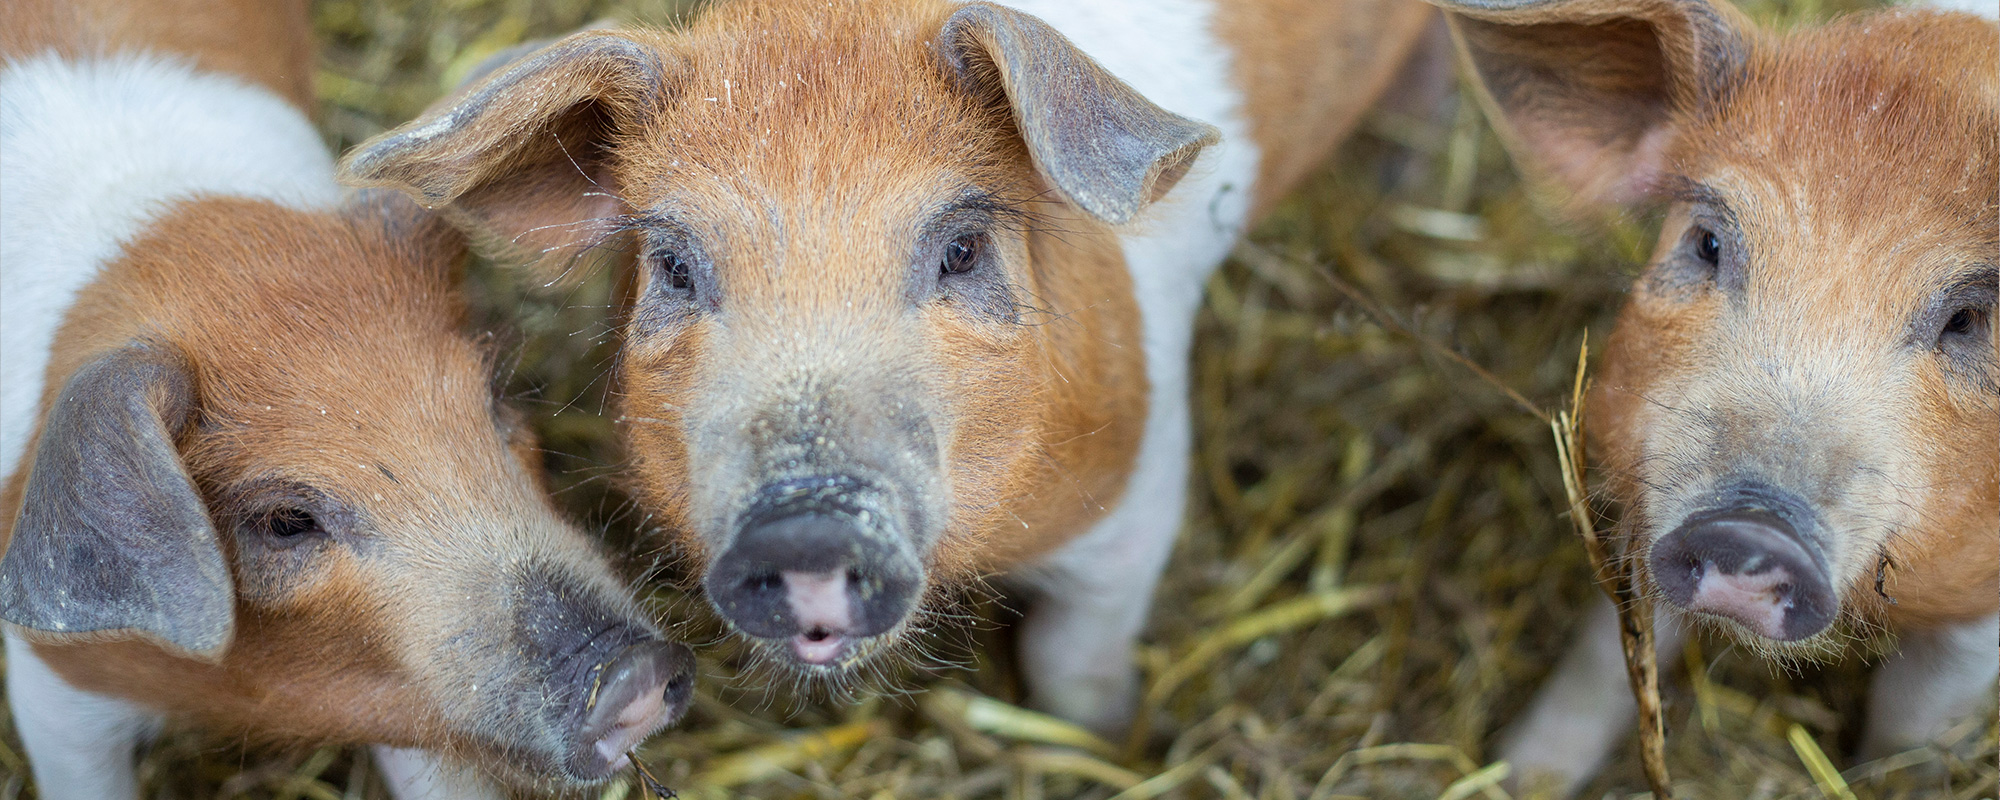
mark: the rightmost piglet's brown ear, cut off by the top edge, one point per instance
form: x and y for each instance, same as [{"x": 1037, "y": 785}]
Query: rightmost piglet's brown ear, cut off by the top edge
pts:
[{"x": 1589, "y": 93}]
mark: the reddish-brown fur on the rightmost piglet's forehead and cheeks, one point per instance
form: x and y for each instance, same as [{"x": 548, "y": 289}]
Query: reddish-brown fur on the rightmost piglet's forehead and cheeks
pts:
[{"x": 1867, "y": 159}]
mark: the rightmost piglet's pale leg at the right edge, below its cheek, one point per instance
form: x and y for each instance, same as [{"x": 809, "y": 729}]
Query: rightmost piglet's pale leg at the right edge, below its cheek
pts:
[{"x": 1933, "y": 681}]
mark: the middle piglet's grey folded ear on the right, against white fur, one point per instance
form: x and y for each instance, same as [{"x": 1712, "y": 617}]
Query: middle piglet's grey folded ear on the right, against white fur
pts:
[{"x": 1097, "y": 141}]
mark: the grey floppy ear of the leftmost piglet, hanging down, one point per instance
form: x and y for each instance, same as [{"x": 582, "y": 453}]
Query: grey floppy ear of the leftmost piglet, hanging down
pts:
[{"x": 113, "y": 537}]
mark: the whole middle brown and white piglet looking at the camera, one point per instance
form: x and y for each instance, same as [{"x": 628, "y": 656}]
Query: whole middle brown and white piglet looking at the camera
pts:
[{"x": 915, "y": 283}]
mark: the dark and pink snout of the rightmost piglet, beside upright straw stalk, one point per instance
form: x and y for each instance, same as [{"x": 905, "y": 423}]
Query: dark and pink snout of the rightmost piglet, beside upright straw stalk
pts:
[{"x": 1747, "y": 565}]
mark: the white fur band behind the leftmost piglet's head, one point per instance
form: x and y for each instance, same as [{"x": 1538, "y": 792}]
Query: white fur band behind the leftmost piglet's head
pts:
[{"x": 89, "y": 155}]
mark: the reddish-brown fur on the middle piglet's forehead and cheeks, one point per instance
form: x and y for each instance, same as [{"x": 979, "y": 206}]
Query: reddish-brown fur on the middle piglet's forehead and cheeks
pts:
[{"x": 875, "y": 83}]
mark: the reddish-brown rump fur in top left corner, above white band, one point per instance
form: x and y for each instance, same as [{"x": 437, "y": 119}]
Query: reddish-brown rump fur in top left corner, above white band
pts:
[{"x": 261, "y": 41}]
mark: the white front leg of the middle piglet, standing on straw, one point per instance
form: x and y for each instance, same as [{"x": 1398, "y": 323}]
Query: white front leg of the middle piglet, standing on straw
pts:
[{"x": 1077, "y": 641}]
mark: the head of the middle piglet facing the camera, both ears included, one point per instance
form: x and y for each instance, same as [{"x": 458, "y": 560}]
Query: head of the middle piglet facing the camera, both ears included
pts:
[{"x": 869, "y": 239}]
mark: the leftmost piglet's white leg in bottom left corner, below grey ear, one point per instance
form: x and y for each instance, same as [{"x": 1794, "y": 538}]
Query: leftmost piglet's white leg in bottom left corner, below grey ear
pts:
[{"x": 81, "y": 745}]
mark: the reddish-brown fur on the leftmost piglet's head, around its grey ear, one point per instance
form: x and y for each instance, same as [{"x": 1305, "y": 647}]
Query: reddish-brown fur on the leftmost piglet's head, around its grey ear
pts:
[{"x": 313, "y": 667}]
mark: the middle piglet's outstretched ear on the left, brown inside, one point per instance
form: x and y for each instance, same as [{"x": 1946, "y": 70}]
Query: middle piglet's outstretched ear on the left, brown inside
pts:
[{"x": 523, "y": 161}]
